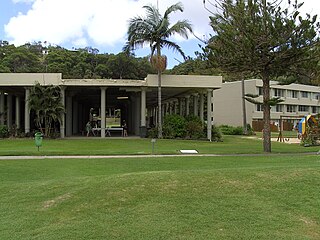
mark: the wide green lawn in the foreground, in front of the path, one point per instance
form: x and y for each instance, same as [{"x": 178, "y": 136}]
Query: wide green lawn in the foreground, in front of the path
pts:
[{"x": 266, "y": 197}]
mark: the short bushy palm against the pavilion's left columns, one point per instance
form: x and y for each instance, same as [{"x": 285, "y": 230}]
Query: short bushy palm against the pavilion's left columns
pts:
[{"x": 45, "y": 101}]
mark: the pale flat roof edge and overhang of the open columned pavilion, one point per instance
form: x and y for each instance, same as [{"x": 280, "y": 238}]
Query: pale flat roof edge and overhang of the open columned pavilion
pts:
[{"x": 173, "y": 86}]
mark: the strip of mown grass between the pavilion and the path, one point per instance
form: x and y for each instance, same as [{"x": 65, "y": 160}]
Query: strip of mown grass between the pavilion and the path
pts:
[{"x": 109, "y": 146}]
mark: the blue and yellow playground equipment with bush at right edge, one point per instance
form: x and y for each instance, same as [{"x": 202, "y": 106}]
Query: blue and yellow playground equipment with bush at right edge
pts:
[{"x": 309, "y": 131}]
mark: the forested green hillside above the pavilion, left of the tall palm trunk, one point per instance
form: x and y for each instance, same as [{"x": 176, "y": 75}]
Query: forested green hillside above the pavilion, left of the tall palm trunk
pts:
[{"x": 78, "y": 64}]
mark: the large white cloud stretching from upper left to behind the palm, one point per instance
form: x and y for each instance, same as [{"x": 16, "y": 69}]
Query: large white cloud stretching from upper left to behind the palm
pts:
[{"x": 101, "y": 22}]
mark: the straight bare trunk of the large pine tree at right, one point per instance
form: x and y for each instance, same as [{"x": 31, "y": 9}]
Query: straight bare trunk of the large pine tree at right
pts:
[{"x": 266, "y": 114}]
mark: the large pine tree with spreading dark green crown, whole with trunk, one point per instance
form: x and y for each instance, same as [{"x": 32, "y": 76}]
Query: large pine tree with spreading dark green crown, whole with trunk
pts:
[{"x": 260, "y": 38}]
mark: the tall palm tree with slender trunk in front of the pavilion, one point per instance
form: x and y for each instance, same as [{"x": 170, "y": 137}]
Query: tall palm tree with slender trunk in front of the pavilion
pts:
[{"x": 155, "y": 30}]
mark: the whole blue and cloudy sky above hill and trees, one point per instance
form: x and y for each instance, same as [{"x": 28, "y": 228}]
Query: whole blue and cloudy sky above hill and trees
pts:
[{"x": 101, "y": 24}]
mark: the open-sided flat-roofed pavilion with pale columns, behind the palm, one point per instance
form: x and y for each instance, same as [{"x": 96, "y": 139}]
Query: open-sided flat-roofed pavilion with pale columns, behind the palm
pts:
[{"x": 134, "y": 101}]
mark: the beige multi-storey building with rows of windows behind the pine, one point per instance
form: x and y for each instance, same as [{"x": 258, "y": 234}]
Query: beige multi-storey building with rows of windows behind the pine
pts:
[{"x": 299, "y": 100}]
